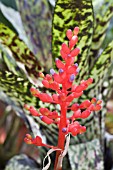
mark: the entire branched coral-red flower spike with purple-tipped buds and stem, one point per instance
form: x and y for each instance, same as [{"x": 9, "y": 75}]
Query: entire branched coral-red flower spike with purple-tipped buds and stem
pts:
[{"x": 65, "y": 92}]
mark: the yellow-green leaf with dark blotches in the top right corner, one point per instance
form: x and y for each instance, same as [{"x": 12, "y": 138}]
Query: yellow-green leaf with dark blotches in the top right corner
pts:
[{"x": 102, "y": 21}]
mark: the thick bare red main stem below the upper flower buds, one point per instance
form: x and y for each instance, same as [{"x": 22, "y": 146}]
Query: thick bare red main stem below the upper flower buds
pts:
[{"x": 61, "y": 137}]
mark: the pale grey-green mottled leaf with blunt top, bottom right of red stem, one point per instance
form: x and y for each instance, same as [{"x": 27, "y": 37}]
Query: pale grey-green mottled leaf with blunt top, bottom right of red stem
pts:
[{"x": 82, "y": 156}]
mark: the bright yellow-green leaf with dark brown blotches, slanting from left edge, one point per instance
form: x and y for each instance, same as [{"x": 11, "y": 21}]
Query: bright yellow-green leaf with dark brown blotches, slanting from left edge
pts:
[{"x": 20, "y": 51}]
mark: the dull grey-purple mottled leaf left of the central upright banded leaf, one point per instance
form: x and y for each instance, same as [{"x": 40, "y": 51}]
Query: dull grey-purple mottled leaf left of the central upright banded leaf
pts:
[{"x": 37, "y": 20}]
